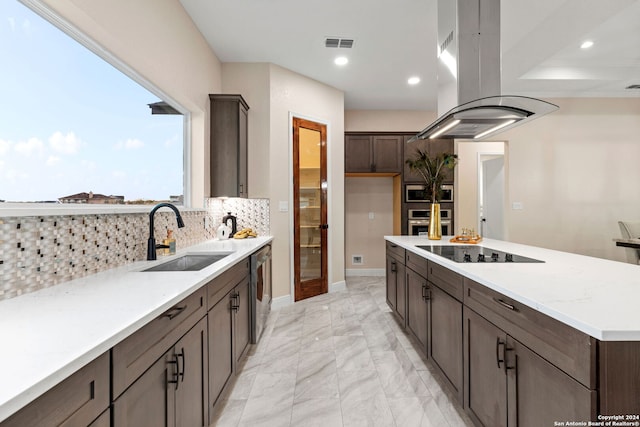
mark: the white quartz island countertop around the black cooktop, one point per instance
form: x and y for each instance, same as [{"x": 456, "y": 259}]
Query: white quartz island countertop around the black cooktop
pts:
[{"x": 596, "y": 296}]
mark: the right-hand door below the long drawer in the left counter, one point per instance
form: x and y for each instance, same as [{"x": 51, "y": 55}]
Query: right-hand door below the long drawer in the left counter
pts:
[{"x": 191, "y": 392}]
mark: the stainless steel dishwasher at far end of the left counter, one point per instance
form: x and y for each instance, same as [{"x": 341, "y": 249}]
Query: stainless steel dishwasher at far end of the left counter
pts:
[{"x": 260, "y": 290}]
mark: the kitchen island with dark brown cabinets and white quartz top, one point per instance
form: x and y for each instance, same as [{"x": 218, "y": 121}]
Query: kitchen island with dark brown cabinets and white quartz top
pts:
[{"x": 554, "y": 341}]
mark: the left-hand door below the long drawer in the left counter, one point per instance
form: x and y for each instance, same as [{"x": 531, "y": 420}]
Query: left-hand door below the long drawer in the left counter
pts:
[{"x": 149, "y": 401}]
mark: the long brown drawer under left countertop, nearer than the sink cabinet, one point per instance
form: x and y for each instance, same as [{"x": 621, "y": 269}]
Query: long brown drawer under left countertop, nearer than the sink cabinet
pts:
[{"x": 139, "y": 351}]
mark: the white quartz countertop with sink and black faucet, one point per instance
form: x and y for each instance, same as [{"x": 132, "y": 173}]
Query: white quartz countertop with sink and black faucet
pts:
[{"x": 48, "y": 335}]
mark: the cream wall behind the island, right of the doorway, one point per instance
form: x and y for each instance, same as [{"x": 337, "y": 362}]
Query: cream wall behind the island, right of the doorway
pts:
[{"x": 576, "y": 172}]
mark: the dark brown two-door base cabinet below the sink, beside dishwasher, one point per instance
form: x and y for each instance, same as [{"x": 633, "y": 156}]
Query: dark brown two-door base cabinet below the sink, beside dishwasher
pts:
[{"x": 228, "y": 329}]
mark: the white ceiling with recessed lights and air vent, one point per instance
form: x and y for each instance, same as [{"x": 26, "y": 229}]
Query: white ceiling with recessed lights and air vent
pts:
[{"x": 396, "y": 39}]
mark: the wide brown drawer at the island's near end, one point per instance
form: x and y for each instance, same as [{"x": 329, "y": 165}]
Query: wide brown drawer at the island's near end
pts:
[{"x": 570, "y": 350}]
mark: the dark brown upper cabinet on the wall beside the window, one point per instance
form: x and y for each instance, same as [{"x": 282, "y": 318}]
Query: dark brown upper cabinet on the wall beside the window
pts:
[{"x": 228, "y": 146}]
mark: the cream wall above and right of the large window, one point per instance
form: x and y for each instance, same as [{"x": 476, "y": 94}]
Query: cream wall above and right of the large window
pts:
[{"x": 159, "y": 41}]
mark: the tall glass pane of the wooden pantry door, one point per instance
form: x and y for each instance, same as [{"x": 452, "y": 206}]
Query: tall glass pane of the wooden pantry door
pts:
[{"x": 310, "y": 204}]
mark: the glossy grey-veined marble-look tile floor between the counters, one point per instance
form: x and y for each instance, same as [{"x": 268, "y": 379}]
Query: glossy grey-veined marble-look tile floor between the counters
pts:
[{"x": 338, "y": 359}]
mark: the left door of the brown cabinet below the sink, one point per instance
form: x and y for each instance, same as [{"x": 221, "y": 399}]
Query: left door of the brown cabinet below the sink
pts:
[{"x": 220, "y": 347}]
